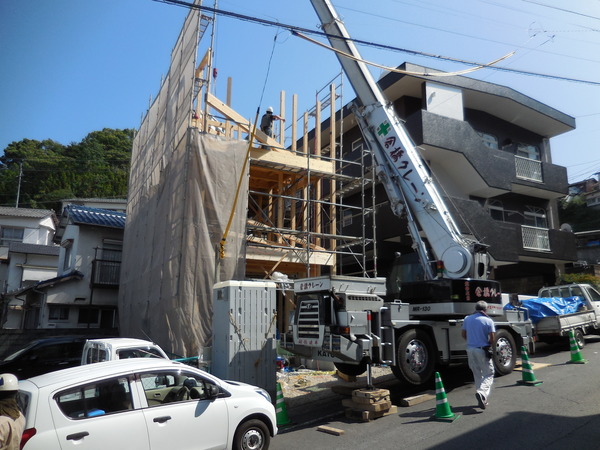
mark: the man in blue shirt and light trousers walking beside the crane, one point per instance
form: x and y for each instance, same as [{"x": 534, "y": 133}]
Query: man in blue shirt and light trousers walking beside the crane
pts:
[{"x": 479, "y": 331}]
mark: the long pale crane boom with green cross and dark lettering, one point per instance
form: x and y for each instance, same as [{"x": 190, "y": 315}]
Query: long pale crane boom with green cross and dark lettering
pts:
[{"x": 399, "y": 166}]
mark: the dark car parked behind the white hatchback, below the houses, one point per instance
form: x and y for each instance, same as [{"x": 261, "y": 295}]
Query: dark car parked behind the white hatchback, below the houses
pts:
[{"x": 45, "y": 355}]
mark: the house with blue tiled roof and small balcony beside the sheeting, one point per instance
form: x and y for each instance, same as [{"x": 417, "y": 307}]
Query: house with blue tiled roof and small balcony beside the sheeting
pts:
[{"x": 83, "y": 293}]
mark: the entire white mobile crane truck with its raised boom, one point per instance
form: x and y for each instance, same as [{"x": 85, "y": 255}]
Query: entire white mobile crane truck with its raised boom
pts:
[{"x": 346, "y": 319}]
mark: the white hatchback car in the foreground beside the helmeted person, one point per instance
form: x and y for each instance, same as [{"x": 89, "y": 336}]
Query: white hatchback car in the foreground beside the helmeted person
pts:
[{"x": 143, "y": 403}]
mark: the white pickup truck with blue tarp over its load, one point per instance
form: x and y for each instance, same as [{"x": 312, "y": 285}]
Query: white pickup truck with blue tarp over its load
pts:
[{"x": 586, "y": 320}]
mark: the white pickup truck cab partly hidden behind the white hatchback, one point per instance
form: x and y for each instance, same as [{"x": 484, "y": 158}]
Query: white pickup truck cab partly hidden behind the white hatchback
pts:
[{"x": 99, "y": 350}]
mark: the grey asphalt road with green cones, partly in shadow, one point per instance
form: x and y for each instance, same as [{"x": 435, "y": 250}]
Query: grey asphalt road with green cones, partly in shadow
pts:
[{"x": 561, "y": 413}]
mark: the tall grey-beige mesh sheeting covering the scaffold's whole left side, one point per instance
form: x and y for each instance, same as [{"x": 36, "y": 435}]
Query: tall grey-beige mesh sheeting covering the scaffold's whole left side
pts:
[{"x": 181, "y": 190}]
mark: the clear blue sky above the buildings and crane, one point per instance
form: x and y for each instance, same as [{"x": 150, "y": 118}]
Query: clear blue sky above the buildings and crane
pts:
[{"x": 70, "y": 67}]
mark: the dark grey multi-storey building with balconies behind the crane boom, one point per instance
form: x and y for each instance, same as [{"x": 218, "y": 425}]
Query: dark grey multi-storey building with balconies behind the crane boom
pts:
[{"x": 488, "y": 150}]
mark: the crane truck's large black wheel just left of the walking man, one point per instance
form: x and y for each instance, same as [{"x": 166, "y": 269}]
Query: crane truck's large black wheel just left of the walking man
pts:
[{"x": 415, "y": 357}]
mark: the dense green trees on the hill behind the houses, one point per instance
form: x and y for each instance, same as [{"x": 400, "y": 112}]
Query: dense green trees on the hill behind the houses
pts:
[{"x": 98, "y": 166}]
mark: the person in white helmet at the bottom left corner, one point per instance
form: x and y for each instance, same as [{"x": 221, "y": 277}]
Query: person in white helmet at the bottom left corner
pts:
[{"x": 12, "y": 422}]
